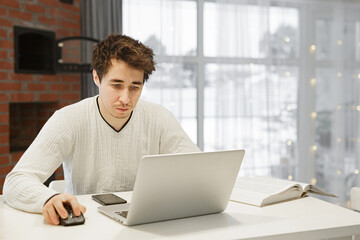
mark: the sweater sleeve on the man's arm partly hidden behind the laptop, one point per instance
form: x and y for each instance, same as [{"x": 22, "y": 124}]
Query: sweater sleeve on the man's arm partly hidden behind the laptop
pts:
[{"x": 173, "y": 137}]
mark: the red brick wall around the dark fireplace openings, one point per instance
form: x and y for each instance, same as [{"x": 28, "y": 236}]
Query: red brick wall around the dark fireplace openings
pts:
[{"x": 60, "y": 89}]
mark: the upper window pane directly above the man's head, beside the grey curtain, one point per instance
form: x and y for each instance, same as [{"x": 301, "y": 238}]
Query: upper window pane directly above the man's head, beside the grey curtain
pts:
[{"x": 168, "y": 27}]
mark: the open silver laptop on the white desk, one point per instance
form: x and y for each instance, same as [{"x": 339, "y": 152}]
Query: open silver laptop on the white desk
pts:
[{"x": 176, "y": 186}]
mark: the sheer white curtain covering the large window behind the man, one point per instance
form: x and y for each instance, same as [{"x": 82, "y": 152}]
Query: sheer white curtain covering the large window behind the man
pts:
[{"x": 277, "y": 78}]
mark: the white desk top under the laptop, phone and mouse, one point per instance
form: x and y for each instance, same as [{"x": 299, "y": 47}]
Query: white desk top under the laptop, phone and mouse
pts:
[{"x": 307, "y": 218}]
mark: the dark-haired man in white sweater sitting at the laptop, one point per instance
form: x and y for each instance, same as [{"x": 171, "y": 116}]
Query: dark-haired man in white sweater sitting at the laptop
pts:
[{"x": 99, "y": 140}]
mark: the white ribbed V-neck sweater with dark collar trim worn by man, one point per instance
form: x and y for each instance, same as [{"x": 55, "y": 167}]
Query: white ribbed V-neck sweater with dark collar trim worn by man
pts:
[{"x": 95, "y": 157}]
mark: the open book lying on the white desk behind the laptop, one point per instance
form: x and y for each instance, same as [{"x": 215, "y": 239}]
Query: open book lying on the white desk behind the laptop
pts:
[{"x": 262, "y": 191}]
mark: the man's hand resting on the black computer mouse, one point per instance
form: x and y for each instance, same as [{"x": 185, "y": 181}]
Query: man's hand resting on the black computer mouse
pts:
[{"x": 56, "y": 205}]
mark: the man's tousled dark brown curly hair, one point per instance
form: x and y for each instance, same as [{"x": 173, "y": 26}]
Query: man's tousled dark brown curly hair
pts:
[{"x": 125, "y": 48}]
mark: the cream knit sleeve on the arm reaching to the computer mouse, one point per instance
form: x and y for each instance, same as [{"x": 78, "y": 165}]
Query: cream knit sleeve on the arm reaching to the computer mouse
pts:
[{"x": 24, "y": 188}]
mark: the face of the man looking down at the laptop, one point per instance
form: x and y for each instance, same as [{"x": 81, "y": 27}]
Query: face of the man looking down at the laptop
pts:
[{"x": 119, "y": 91}]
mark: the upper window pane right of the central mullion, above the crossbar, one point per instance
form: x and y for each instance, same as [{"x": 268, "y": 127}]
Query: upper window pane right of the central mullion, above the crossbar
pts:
[{"x": 227, "y": 32}]
